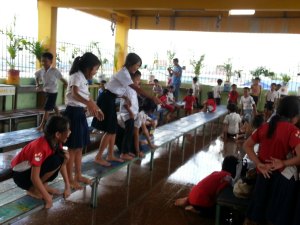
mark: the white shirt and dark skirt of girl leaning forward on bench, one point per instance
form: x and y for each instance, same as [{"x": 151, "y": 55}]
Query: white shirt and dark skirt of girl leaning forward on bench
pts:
[{"x": 116, "y": 87}]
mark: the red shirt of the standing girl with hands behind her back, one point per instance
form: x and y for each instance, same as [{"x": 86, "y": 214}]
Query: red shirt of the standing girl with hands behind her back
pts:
[{"x": 284, "y": 140}]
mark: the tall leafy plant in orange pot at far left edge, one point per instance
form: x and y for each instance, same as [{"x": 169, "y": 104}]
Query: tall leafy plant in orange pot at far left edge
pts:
[{"x": 15, "y": 44}]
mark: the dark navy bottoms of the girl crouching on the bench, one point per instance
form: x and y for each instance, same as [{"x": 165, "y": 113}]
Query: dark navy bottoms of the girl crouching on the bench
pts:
[{"x": 53, "y": 162}]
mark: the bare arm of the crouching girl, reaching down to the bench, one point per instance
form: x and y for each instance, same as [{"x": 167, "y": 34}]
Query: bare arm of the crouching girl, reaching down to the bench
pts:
[{"x": 38, "y": 184}]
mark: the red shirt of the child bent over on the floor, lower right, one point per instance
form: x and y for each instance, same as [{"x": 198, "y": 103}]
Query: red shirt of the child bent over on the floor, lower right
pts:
[{"x": 204, "y": 194}]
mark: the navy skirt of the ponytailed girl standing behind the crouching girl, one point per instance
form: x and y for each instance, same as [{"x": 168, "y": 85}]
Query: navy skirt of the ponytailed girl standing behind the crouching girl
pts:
[{"x": 80, "y": 136}]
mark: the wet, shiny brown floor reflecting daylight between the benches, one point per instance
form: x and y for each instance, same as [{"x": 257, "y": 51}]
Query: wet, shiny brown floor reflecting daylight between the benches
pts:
[{"x": 149, "y": 199}]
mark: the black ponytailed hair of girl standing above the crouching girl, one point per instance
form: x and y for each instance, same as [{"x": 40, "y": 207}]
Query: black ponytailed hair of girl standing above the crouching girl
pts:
[{"x": 87, "y": 61}]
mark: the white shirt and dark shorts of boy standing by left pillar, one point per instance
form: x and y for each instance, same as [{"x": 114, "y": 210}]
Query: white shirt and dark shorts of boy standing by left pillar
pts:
[{"x": 49, "y": 79}]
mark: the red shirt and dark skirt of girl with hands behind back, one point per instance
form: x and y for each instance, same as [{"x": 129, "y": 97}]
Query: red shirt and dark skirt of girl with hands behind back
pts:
[{"x": 273, "y": 198}]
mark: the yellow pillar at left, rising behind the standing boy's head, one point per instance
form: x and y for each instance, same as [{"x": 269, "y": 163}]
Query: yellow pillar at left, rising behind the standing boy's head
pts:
[{"x": 47, "y": 25}]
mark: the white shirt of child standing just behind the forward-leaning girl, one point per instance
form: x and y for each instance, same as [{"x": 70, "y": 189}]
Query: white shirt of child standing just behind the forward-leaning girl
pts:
[{"x": 132, "y": 96}]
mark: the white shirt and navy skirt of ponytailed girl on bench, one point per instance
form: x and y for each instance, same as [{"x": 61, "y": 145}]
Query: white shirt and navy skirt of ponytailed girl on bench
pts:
[{"x": 75, "y": 111}]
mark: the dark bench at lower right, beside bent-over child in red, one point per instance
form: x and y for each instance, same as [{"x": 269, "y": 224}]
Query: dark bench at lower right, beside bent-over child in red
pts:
[{"x": 226, "y": 198}]
